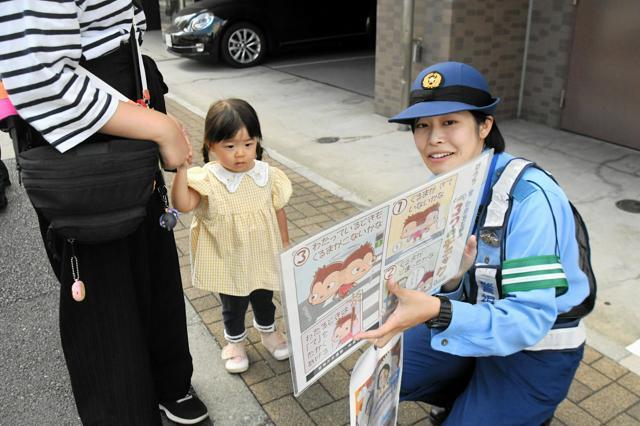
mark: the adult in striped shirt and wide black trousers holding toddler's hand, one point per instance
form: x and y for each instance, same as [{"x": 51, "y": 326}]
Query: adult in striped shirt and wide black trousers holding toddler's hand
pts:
[{"x": 126, "y": 346}]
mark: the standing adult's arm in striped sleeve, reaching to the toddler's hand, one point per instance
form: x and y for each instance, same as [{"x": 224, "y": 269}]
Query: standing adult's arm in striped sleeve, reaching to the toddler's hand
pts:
[{"x": 41, "y": 47}]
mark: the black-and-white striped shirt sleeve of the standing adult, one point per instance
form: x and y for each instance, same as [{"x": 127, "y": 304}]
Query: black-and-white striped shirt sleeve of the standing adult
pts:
[{"x": 41, "y": 47}]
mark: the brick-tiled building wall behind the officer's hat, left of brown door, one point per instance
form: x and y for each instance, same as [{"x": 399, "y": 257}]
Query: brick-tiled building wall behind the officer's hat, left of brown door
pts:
[{"x": 490, "y": 35}]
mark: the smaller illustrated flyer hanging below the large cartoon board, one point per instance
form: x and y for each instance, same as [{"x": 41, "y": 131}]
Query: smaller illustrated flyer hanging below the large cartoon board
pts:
[{"x": 374, "y": 387}]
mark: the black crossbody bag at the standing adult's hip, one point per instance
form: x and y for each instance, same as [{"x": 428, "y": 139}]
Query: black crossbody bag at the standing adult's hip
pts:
[{"x": 97, "y": 191}]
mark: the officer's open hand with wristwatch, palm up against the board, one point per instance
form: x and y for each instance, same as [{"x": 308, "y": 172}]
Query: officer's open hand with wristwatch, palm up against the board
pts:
[{"x": 414, "y": 307}]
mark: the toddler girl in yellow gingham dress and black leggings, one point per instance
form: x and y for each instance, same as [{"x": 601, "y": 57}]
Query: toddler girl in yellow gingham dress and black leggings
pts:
[{"x": 239, "y": 226}]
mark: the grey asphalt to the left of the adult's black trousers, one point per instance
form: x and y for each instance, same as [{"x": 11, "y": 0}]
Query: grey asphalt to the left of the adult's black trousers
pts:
[{"x": 35, "y": 383}]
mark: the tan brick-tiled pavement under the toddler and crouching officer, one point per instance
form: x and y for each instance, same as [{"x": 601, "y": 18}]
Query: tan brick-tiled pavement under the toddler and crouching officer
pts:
[{"x": 603, "y": 392}]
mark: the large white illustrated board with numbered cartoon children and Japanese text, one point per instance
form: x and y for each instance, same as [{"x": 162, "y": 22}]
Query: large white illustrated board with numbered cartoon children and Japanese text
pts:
[{"x": 333, "y": 284}]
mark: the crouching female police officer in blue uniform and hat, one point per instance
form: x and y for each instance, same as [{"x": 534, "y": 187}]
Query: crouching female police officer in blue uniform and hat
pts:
[{"x": 492, "y": 347}]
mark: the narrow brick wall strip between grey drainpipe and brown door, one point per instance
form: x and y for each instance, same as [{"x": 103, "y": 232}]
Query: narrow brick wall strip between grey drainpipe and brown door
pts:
[{"x": 552, "y": 25}]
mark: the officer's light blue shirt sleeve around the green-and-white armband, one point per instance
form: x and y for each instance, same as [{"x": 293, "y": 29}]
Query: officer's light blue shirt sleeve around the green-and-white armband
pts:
[{"x": 522, "y": 317}]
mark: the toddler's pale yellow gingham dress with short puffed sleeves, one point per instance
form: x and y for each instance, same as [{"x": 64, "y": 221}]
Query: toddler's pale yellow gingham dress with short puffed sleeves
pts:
[{"x": 235, "y": 239}]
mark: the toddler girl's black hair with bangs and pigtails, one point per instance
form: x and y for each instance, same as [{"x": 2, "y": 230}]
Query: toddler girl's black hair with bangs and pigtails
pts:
[{"x": 225, "y": 118}]
